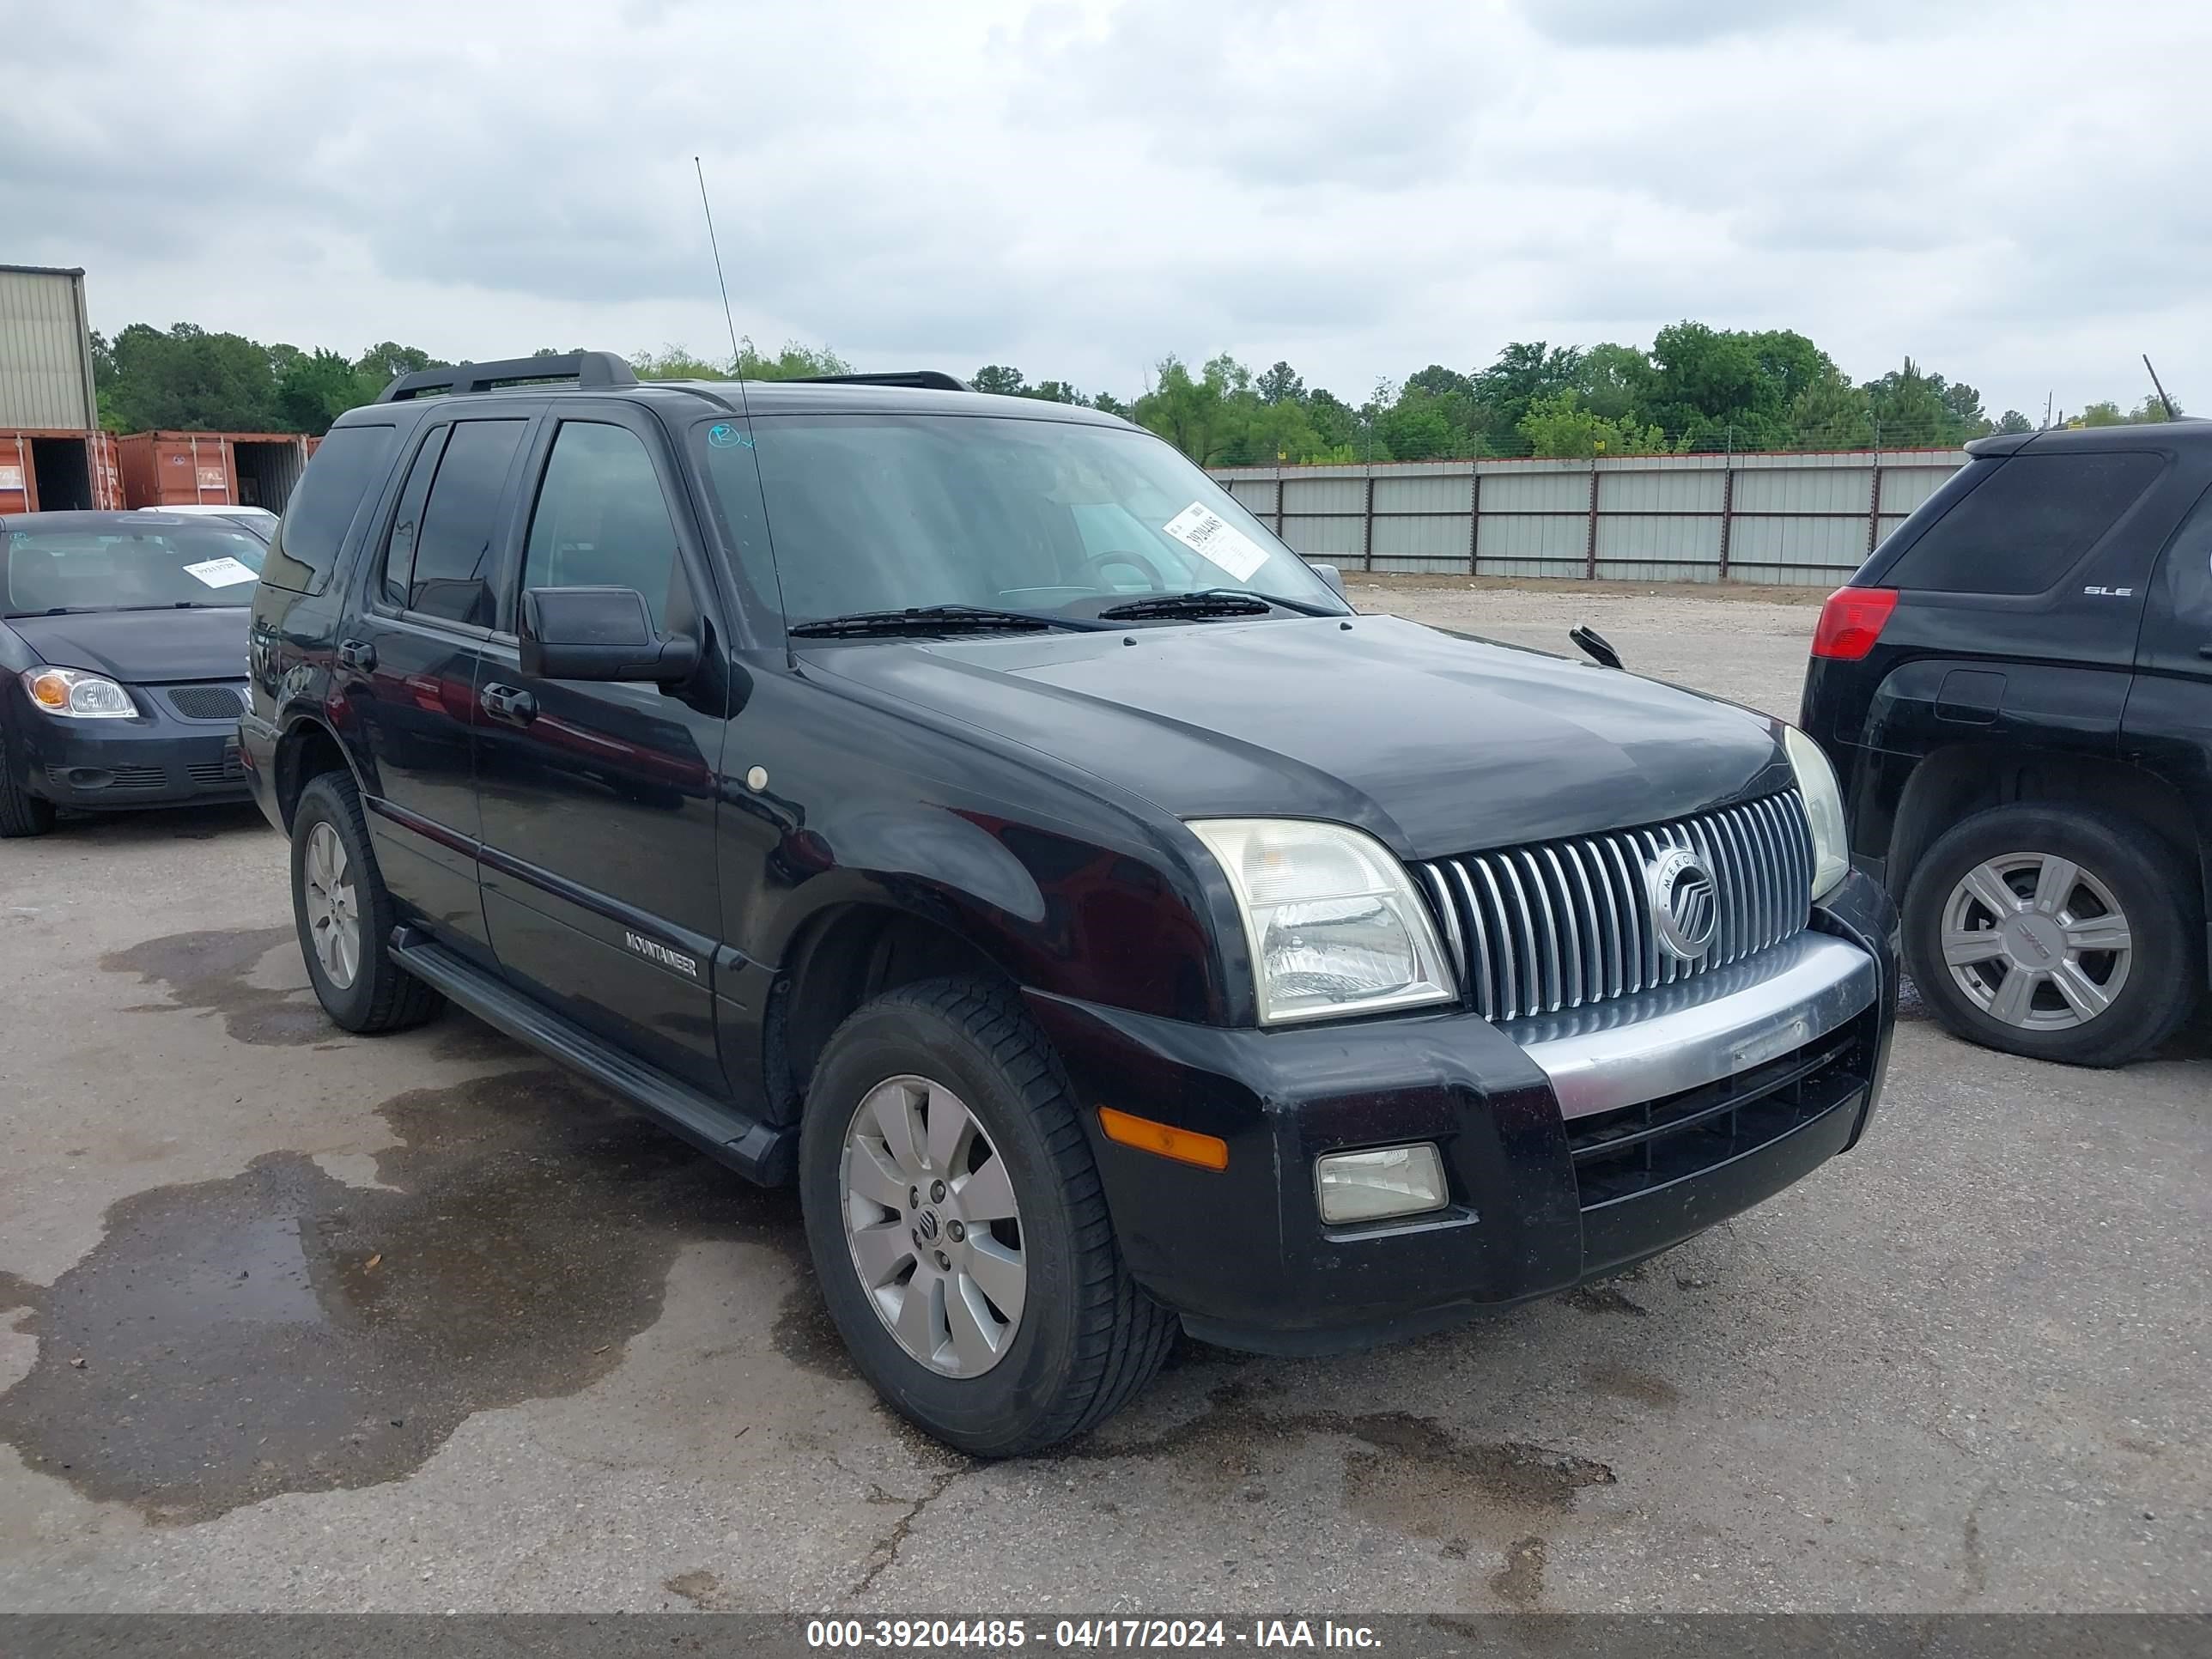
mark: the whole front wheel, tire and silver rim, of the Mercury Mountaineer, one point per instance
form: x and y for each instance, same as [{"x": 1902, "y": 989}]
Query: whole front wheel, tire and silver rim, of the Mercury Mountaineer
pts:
[{"x": 959, "y": 1229}]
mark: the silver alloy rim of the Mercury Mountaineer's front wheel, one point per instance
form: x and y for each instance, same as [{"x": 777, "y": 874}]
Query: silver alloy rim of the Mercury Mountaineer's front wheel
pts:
[{"x": 932, "y": 1224}]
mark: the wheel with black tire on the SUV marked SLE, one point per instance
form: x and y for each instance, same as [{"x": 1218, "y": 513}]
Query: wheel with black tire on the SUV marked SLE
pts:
[{"x": 2120, "y": 866}]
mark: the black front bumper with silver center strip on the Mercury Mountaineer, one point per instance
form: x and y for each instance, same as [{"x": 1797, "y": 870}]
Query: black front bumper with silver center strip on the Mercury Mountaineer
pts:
[{"x": 1587, "y": 1145}]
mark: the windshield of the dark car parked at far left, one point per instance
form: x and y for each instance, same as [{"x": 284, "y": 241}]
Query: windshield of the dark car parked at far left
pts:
[{"x": 116, "y": 567}]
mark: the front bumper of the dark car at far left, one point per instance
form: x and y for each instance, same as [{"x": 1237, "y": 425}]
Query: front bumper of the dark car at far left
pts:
[{"x": 156, "y": 760}]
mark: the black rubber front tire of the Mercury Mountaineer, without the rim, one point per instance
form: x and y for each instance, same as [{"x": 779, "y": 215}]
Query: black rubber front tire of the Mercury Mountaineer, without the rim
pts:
[{"x": 1087, "y": 1339}]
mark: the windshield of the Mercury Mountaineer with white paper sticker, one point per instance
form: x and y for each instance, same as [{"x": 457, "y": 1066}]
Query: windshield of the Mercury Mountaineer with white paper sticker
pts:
[{"x": 884, "y": 512}]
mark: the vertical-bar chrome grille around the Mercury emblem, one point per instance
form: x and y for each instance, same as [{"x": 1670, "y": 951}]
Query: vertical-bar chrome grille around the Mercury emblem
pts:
[{"x": 1567, "y": 924}]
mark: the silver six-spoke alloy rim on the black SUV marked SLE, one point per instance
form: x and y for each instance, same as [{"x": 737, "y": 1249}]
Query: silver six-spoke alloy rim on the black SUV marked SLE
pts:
[{"x": 2036, "y": 941}]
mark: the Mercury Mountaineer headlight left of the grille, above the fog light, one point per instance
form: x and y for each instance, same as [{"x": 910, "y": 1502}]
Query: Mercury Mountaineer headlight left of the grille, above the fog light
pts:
[{"x": 1333, "y": 919}]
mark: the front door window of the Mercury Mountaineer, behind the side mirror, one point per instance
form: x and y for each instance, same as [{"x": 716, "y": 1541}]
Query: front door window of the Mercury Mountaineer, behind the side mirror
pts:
[{"x": 601, "y": 519}]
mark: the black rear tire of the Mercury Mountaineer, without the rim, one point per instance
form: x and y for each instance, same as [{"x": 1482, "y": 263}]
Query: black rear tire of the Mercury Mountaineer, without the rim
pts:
[{"x": 377, "y": 994}]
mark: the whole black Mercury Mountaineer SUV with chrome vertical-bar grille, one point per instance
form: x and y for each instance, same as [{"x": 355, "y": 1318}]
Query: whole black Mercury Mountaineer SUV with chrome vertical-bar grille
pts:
[{"x": 963, "y": 808}]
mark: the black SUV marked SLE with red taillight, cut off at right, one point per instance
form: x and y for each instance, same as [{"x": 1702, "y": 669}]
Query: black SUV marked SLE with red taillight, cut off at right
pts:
[{"x": 2018, "y": 696}]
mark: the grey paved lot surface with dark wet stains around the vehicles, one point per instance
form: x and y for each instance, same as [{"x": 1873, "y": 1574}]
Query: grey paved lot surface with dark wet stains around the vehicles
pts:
[{"x": 417, "y": 1324}]
